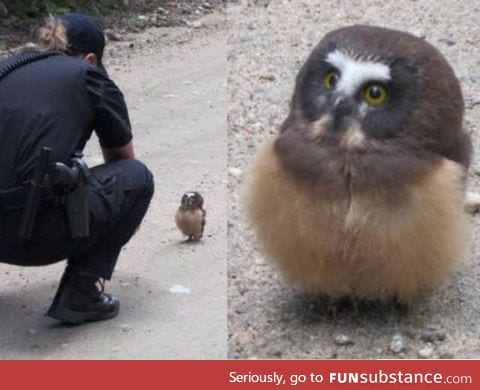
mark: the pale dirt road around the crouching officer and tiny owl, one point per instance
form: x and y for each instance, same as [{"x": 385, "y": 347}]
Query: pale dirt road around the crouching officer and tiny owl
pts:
[{"x": 173, "y": 295}]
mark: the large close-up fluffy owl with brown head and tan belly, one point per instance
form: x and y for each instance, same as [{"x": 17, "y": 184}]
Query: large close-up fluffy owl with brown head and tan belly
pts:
[{"x": 361, "y": 192}]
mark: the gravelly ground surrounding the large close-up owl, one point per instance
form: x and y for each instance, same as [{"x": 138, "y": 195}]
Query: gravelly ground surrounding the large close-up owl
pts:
[{"x": 268, "y": 42}]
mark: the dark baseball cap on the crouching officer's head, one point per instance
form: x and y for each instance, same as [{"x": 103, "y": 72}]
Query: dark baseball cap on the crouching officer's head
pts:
[{"x": 84, "y": 35}]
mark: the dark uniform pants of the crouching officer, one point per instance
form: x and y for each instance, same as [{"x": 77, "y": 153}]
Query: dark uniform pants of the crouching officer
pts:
[{"x": 119, "y": 195}]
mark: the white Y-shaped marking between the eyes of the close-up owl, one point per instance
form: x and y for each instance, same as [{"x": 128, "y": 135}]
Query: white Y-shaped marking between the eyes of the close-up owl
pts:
[{"x": 354, "y": 73}]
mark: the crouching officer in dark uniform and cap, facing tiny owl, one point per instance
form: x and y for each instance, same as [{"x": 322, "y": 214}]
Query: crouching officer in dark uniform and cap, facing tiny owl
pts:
[{"x": 52, "y": 99}]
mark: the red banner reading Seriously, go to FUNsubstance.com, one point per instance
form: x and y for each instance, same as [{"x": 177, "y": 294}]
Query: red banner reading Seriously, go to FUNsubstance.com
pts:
[{"x": 241, "y": 374}]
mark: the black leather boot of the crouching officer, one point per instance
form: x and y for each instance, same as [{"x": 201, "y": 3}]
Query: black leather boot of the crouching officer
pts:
[{"x": 79, "y": 300}]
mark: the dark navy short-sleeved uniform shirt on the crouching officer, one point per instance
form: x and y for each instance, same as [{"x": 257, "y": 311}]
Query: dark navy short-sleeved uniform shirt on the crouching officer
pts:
[{"x": 56, "y": 102}]
